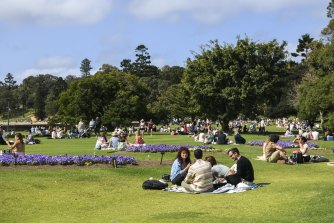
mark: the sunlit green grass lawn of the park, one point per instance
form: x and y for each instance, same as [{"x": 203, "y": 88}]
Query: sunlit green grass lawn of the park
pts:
[{"x": 295, "y": 193}]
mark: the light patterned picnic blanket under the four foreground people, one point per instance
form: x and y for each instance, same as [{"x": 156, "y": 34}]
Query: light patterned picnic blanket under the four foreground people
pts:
[{"x": 228, "y": 189}]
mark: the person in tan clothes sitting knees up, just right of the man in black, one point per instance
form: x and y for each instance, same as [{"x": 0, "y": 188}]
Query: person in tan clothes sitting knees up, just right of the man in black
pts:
[{"x": 274, "y": 152}]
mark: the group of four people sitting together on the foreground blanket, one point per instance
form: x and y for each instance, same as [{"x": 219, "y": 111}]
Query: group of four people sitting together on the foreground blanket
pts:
[{"x": 204, "y": 175}]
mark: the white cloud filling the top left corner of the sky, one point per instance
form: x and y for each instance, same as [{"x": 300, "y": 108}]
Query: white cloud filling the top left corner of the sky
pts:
[{"x": 51, "y": 12}]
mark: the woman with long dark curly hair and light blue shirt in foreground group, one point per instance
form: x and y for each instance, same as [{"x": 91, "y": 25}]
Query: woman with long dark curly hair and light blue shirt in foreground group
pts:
[{"x": 180, "y": 166}]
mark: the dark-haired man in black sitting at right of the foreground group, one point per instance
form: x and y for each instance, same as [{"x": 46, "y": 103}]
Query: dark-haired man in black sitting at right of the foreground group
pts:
[{"x": 244, "y": 171}]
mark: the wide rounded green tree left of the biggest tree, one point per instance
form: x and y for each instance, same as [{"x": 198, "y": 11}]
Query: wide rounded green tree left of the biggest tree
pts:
[{"x": 117, "y": 97}]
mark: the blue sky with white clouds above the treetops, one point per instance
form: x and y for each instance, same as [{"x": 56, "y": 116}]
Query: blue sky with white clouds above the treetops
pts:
[{"x": 54, "y": 36}]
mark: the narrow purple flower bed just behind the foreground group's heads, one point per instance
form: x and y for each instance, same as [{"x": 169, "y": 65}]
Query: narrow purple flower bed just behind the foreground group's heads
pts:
[{"x": 163, "y": 148}]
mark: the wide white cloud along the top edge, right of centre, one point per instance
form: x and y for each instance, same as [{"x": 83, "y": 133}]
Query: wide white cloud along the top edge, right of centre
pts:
[{"x": 208, "y": 11}]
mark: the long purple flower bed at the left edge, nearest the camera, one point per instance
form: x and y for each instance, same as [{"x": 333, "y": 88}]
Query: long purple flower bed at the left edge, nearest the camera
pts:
[{"x": 39, "y": 159}]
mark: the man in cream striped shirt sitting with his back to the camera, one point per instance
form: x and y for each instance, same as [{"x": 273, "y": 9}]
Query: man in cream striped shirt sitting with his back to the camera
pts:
[{"x": 199, "y": 178}]
